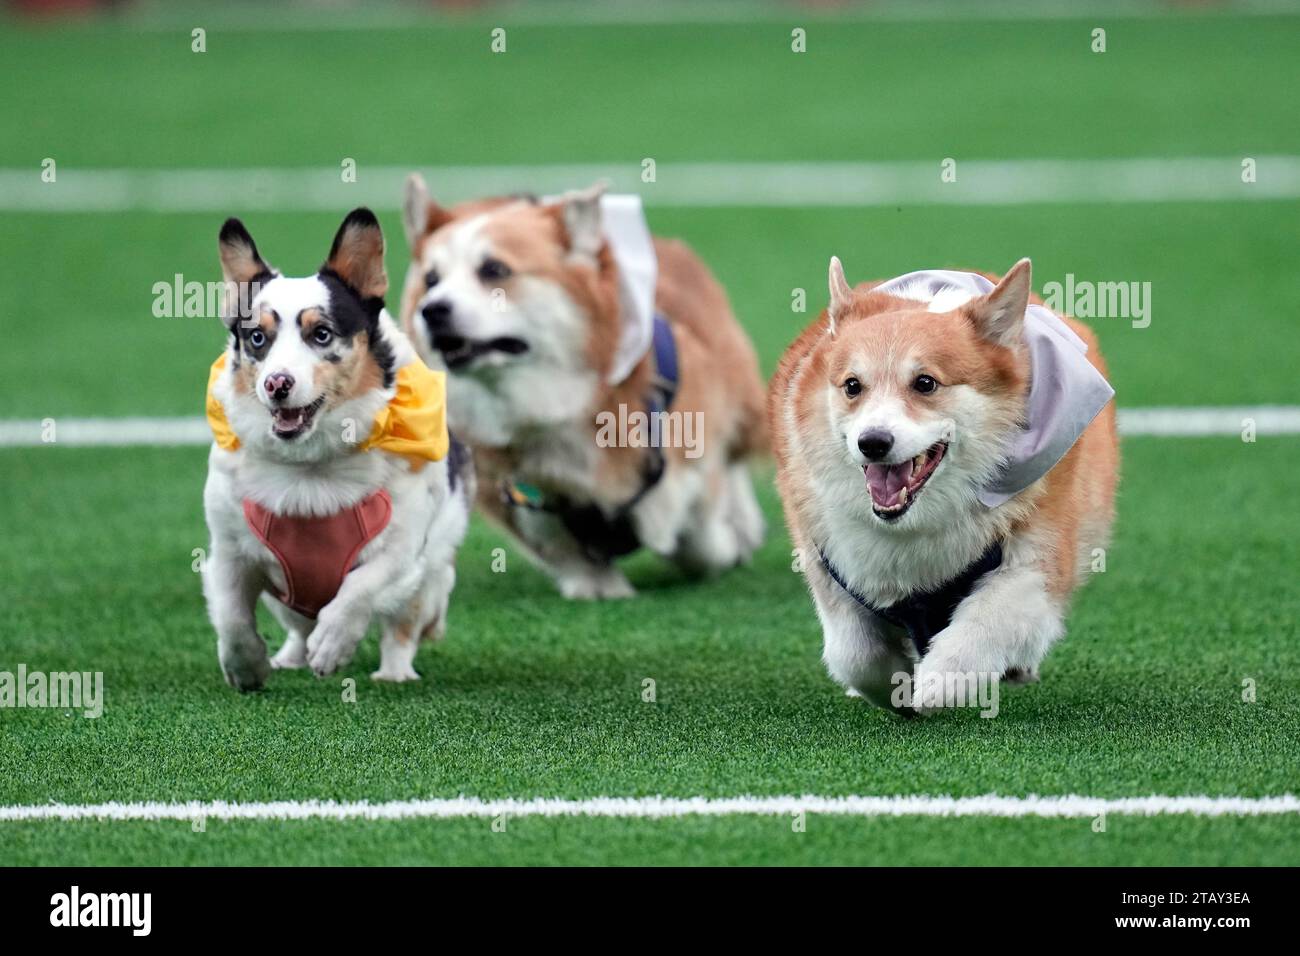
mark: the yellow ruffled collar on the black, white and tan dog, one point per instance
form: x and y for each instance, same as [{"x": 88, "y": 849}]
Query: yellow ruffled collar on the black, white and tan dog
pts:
[{"x": 413, "y": 425}]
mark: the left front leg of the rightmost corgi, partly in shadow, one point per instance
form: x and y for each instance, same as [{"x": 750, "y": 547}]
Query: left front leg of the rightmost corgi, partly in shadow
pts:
[{"x": 857, "y": 650}]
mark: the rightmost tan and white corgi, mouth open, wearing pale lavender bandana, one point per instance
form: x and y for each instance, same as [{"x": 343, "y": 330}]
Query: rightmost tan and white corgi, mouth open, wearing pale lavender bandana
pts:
[{"x": 947, "y": 456}]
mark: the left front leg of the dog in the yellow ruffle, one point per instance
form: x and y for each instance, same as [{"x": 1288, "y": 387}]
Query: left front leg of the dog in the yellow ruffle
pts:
[{"x": 232, "y": 589}]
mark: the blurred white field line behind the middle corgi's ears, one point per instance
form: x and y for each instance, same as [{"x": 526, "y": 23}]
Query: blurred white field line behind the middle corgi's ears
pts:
[{"x": 701, "y": 185}]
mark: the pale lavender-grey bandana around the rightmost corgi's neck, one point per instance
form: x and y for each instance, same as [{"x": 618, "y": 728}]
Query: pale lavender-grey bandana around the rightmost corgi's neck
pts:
[{"x": 1067, "y": 391}]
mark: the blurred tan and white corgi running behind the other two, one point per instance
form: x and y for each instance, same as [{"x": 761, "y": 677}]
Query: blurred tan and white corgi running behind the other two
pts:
[{"x": 525, "y": 305}]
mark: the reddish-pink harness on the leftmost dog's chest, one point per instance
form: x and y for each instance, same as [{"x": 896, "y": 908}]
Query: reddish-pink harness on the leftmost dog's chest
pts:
[{"x": 317, "y": 553}]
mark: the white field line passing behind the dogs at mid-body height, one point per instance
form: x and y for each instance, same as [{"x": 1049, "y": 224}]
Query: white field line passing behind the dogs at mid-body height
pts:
[{"x": 129, "y": 432}]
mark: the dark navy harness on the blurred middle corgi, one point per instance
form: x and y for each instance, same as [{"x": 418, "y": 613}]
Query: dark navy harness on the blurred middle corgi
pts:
[{"x": 608, "y": 535}]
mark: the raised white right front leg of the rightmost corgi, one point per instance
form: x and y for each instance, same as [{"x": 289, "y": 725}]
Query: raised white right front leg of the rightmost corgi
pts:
[{"x": 1008, "y": 624}]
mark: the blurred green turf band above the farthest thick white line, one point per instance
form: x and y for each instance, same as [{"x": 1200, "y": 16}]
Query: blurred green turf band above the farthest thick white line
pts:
[{"x": 996, "y": 89}]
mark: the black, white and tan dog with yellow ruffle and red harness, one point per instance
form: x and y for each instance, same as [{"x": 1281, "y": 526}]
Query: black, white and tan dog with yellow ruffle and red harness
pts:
[{"x": 335, "y": 490}]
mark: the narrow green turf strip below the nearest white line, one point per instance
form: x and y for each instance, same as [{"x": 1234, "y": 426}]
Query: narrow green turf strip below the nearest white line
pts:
[{"x": 716, "y": 842}]
